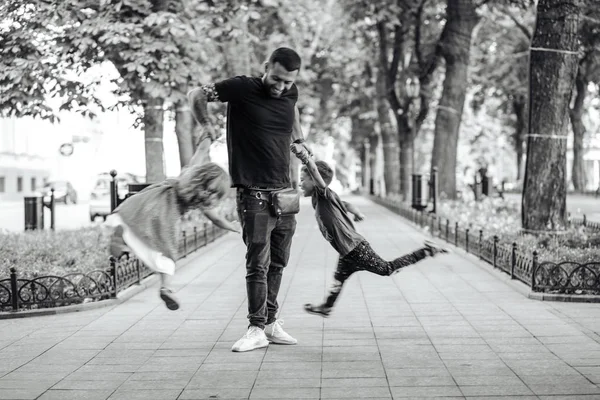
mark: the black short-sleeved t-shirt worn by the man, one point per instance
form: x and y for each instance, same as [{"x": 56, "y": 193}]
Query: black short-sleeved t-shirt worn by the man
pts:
[{"x": 259, "y": 132}]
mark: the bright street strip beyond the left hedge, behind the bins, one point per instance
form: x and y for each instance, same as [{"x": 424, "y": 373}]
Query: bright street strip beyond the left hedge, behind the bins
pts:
[{"x": 72, "y": 216}]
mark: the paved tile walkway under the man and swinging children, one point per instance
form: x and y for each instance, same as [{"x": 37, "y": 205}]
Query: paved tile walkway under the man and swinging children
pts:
[{"x": 446, "y": 328}]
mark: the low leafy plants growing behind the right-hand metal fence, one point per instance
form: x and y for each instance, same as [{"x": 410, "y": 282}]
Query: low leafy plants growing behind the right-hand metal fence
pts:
[{"x": 503, "y": 218}]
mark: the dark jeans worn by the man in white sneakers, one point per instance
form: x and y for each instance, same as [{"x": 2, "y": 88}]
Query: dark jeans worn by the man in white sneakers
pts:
[{"x": 268, "y": 241}]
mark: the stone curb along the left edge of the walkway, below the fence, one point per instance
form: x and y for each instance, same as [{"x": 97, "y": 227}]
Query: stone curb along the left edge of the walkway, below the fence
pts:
[{"x": 122, "y": 297}]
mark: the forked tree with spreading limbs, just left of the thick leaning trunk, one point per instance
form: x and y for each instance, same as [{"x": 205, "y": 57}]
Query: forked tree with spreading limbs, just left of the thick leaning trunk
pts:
[{"x": 402, "y": 36}]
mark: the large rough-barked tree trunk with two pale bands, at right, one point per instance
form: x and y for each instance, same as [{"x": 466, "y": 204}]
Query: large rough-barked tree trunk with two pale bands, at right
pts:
[{"x": 553, "y": 66}]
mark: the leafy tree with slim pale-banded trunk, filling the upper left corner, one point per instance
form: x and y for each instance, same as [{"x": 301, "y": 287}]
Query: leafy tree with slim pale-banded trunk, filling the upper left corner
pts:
[{"x": 140, "y": 38}]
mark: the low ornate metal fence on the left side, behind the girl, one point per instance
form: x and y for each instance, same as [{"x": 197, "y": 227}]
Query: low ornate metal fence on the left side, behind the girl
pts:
[{"x": 75, "y": 288}]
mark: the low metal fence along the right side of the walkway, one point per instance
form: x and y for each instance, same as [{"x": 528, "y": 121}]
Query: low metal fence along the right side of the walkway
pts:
[{"x": 563, "y": 277}]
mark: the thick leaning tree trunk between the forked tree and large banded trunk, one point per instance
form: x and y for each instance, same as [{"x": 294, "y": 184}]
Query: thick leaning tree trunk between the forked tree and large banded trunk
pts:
[{"x": 455, "y": 47}]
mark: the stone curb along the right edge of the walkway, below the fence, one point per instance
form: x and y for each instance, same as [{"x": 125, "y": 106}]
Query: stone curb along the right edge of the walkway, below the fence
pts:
[{"x": 515, "y": 284}]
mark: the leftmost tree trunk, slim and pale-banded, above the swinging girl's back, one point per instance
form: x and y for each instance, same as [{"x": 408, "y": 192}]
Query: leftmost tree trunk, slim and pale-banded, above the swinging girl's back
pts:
[{"x": 153, "y": 132}]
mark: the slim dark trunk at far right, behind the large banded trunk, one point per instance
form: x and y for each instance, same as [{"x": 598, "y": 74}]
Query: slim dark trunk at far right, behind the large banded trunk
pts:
[{"x": 576, "y": 114}]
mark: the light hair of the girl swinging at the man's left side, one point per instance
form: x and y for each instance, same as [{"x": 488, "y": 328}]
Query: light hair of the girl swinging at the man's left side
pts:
[{"x": 197, "y": 183}]
